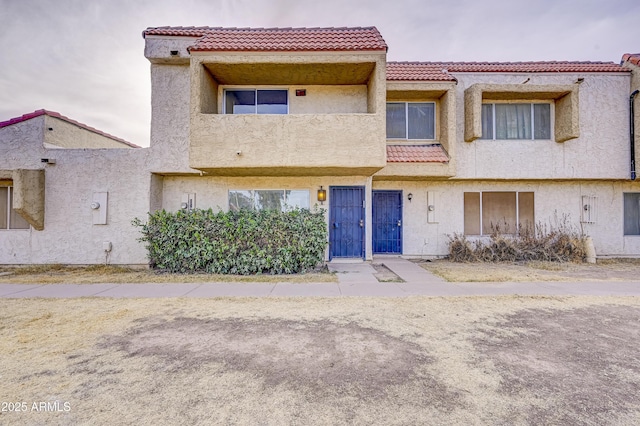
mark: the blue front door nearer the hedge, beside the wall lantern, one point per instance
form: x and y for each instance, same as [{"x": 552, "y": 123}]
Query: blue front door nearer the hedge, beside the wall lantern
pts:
[{"x": 346, "y": 221}]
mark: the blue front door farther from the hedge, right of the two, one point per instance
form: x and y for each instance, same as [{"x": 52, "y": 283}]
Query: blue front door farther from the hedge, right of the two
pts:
[{"x": 387, "y": 222}]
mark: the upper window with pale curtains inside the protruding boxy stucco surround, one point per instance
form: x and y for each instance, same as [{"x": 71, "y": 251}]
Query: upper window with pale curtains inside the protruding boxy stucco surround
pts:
[{"x": 516, "y": 121}]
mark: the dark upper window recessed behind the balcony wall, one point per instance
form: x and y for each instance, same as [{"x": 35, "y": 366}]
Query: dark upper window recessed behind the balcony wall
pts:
[{"x": 251, "y": 101}]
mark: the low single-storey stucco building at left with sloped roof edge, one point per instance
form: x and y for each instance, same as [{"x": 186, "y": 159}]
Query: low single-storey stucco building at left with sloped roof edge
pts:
[{"x": 52, "y": 169}]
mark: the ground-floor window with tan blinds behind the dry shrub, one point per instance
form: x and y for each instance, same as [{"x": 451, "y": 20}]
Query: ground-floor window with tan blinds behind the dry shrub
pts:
[{"x": 506, "y": 212}]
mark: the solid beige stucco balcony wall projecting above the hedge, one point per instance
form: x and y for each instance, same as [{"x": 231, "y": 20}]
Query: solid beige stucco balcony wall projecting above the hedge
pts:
[{"x": 288, "y": 145}]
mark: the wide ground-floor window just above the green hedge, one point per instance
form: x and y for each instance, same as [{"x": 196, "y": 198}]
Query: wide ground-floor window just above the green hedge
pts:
[{"x": 272, "y": 199}]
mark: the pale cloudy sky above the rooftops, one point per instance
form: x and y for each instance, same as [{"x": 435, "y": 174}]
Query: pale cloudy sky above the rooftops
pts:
[{"x": 84, "y": 58}]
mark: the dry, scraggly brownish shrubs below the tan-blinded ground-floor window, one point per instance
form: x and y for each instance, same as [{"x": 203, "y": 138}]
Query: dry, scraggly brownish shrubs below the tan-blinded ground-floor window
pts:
[{"x": 559, "y": 243}]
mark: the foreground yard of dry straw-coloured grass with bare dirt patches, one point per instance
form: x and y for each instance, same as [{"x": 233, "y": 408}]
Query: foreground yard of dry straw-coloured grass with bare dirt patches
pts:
[{"x": 358, "y": 361}]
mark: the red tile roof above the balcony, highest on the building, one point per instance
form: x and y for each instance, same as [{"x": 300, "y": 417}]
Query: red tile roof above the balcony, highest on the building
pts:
[{"x": 277, "y": 39}]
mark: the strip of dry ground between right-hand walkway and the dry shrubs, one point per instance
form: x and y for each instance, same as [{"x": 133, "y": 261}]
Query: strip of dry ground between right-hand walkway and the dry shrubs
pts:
[{"x": 604, "y": 270}]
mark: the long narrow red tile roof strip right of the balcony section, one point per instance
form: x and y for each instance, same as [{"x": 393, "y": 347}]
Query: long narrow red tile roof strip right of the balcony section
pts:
[{"x": 438, "y": 71}]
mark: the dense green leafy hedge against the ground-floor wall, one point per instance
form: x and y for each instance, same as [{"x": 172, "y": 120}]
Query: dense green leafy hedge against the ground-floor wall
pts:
[{"x": 241, "y": 242}]
